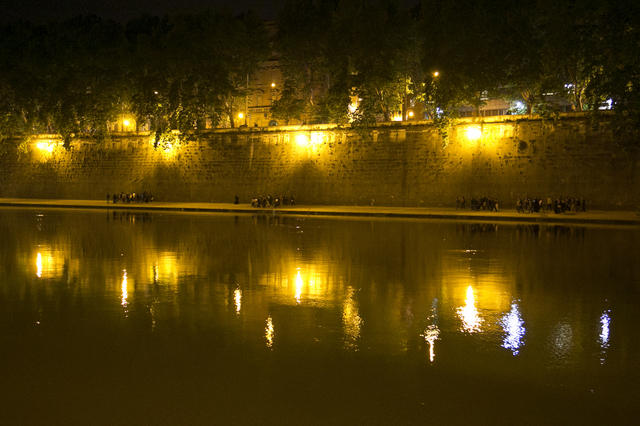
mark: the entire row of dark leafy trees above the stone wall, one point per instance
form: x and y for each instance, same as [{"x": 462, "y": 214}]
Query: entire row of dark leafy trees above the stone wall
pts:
[{"x": 174, "y": 72}]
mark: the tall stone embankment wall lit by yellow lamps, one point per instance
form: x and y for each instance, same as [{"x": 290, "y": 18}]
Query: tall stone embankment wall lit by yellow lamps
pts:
[{"x": 394, "y": 165}]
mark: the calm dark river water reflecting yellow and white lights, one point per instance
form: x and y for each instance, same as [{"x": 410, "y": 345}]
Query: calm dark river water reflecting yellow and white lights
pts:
[{"x": 151, "y": 318}]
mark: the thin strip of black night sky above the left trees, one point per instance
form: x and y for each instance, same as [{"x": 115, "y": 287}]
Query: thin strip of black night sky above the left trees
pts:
[{"x": 45, "y": 10}]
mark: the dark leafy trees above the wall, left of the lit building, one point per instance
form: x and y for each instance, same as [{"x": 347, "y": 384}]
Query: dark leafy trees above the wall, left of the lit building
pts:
[{"x": 74, "y": 76}]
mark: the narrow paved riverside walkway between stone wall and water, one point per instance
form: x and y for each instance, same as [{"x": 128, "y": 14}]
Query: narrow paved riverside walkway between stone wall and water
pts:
[{"x": 602, "y": 217}]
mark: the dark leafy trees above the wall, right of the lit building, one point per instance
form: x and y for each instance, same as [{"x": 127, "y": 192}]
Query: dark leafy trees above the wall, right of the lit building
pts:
[{"x": 445, "y": 54}]
